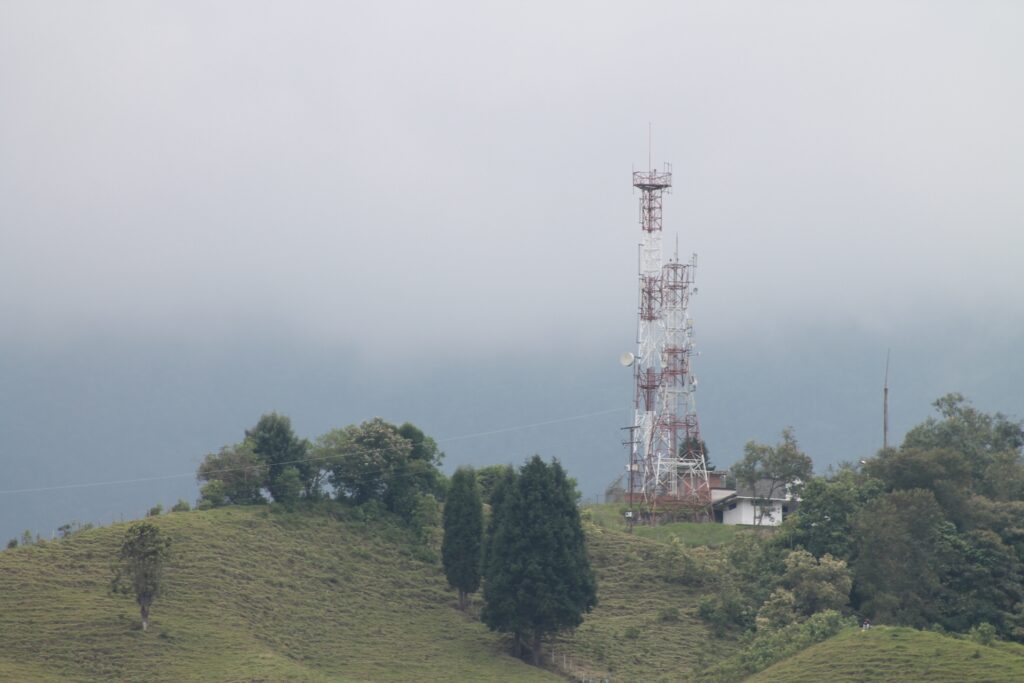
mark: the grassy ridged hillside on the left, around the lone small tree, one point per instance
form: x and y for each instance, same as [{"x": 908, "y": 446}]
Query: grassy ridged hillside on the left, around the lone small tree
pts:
[{"x": 253, "y": 595}]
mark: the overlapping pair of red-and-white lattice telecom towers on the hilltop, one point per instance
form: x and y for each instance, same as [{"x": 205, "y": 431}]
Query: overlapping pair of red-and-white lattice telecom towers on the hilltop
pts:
[{"x": 667, "y": 469}]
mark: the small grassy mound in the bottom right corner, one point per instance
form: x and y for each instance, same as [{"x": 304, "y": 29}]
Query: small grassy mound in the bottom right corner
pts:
[{"x": 899, "y": 655}]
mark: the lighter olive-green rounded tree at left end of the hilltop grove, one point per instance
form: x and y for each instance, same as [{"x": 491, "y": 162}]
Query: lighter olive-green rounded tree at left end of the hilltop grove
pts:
[{"x": 233, "y": 477}]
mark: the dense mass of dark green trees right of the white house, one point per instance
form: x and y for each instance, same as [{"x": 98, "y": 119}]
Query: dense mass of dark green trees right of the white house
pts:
[{"x": 934, "y": 530}]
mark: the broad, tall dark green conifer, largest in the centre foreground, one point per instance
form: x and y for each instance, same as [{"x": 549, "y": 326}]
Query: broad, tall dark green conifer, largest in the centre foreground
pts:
[{"x": 538, "y": 576}]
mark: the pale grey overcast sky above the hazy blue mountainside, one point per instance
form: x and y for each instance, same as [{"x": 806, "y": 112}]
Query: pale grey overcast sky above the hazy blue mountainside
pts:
[{"x": 459, "y": 173}]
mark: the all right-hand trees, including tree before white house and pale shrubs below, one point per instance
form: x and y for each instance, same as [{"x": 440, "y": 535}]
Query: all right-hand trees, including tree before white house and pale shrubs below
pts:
[{"x": 928, "y": 535}]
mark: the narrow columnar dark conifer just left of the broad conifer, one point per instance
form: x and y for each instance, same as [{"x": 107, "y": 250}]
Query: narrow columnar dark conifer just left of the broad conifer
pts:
[{"x": 461, "y": 549}]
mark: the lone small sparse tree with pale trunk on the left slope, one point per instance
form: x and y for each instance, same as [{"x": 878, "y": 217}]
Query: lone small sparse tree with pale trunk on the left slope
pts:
[{"x": 140, "y": 567}]
